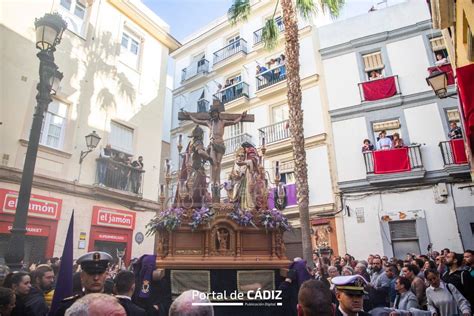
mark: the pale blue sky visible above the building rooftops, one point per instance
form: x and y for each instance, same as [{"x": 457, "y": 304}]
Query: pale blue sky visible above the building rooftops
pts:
[{"x": 187, "y": 16}]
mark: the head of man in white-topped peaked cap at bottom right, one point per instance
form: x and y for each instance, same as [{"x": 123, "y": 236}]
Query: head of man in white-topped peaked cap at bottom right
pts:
[{"x": 350, "y": 293}]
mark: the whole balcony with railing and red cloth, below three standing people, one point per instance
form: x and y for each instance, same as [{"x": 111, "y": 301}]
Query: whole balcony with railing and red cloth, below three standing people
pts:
[{"x": 396, "y": 164}]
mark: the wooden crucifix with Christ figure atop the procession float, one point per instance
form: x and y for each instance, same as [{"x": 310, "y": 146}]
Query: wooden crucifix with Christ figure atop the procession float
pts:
[{"x": 216, "y": 122}]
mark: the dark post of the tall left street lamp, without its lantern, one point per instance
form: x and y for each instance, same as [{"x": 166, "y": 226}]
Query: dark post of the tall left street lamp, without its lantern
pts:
[{"x": 15, "y": 250}]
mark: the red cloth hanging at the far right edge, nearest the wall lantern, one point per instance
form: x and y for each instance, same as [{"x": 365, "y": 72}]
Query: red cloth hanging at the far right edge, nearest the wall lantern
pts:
[{"x": 465, "y": 76}]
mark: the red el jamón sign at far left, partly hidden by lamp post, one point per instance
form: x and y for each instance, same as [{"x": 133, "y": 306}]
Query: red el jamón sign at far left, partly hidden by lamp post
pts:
[{"x": 40, "y": 206}]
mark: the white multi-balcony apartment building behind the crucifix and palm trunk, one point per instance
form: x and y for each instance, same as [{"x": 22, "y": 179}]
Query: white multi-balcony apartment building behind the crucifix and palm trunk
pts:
[{"x": 221, "y": 61}]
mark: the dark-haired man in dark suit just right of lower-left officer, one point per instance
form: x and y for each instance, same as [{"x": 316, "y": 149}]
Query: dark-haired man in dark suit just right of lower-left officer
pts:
[{"x": 124, "y": 288}]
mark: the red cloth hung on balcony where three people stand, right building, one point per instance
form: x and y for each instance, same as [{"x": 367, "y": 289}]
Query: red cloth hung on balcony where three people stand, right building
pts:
[{"x": 391, "y": 161}]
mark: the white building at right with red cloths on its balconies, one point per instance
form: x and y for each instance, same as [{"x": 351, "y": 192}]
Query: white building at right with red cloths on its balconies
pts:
[{"x": 395, "y": 200}]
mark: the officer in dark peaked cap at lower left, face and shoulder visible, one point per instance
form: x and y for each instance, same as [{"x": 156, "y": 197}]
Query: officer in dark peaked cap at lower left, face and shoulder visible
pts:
[{"x": 93, "y": 265}]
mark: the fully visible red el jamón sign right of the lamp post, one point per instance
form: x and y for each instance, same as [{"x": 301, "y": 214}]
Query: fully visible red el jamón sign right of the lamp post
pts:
[{"x": 108, "y": 217}]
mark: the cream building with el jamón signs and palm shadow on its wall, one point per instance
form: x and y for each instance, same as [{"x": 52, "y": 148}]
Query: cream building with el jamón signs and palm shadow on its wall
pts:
[{"x": 114, "y": 60}]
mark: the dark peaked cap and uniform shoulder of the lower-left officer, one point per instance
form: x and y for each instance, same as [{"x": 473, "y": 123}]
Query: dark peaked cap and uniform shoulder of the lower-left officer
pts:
[{"x": 95, "y": 262}]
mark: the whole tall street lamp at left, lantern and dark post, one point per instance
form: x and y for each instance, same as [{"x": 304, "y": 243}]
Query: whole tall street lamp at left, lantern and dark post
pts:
[{"x": 49, "y": 30}]
